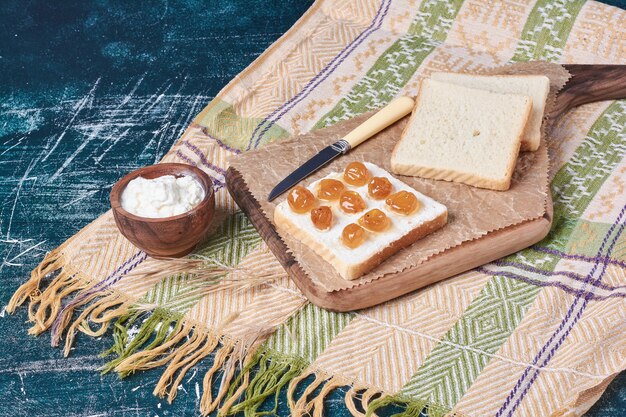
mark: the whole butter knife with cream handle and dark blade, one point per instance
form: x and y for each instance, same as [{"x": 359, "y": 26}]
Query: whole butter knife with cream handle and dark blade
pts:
[{"x": 386, "y": 116}]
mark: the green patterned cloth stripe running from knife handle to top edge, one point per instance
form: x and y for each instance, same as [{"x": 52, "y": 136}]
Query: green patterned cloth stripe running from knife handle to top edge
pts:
[{"x": 395, "y": 67}]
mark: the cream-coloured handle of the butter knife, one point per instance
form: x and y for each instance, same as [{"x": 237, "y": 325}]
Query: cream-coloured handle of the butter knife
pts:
[{"x": 389, "y": 114}]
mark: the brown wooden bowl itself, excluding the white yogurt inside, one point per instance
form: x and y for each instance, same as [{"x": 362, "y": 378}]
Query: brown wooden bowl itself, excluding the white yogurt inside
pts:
[{"x": 173, "y": 236}]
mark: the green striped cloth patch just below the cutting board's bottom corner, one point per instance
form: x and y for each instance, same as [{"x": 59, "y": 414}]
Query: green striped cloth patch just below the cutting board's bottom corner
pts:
[{"x": 308, "y": 332}]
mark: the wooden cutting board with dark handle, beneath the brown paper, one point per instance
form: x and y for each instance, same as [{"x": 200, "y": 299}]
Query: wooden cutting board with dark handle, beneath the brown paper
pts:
[{"x": 589, "y": 83}]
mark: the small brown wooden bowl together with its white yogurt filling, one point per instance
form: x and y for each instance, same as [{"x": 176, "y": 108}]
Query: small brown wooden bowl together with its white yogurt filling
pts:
[{"x": 164, "y": 209}]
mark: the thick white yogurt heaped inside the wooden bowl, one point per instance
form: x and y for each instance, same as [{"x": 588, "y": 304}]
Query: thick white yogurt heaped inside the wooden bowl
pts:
[{"x": 162, "y": 196}]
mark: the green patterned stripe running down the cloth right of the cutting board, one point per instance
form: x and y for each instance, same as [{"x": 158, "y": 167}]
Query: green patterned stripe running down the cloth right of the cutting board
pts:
[{"x": 449, "y": 371}]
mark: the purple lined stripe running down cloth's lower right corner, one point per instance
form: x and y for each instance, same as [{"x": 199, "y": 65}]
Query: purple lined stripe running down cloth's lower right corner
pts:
[{"x": 529, "y": 376}]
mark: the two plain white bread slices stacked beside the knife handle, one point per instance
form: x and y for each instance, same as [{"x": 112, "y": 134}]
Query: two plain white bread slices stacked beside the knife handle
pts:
[{"x": 471, "y": 128}]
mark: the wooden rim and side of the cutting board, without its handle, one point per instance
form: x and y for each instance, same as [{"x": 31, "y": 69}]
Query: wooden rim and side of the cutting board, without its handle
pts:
[{"x": 446, "y": 264}]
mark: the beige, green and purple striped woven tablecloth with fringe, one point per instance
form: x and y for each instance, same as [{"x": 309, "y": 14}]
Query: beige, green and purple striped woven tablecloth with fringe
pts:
[{"x": 542, "y": 332}]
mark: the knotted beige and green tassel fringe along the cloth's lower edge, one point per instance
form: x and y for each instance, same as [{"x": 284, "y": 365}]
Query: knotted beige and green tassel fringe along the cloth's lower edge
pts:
[{"x": 248, "y": 376}]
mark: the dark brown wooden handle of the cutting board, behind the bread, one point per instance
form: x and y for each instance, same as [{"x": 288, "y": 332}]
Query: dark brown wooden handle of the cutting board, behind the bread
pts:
[{"x": 590, "y": 83}]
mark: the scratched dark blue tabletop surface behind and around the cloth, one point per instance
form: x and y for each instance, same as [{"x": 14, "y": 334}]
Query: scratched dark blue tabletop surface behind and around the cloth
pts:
[{"x": 90, "y": 90}]
